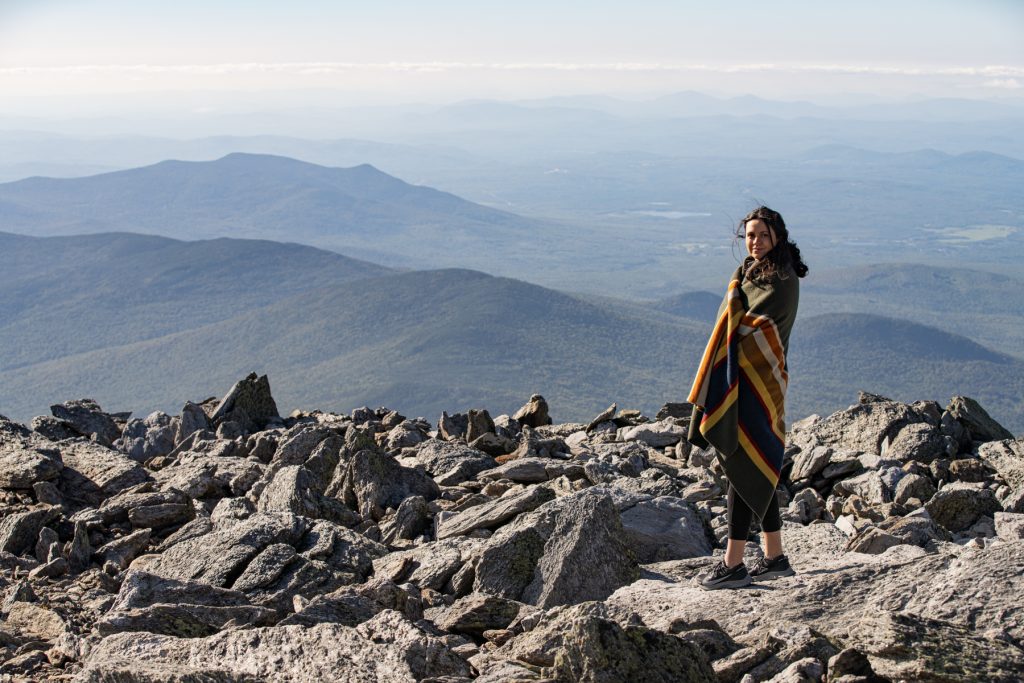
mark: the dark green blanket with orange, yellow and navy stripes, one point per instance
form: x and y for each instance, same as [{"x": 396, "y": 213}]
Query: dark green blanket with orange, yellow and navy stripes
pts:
[{"x": 740, "y": 391}]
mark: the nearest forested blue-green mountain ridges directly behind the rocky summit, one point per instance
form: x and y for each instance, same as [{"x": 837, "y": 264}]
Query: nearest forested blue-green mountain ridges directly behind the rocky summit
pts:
[{"x": 142, "y": 321}]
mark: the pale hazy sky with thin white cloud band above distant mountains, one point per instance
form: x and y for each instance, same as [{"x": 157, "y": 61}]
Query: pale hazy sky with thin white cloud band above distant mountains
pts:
[{"x": 94, "y": 54}]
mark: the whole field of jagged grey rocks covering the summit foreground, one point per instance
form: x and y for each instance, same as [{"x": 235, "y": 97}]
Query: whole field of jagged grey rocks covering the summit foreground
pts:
[{"x": 228, "y": 543}]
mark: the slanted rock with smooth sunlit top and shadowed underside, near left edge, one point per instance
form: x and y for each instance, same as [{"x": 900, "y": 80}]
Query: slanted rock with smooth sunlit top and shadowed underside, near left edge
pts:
[{"x": 94, "y": 473}]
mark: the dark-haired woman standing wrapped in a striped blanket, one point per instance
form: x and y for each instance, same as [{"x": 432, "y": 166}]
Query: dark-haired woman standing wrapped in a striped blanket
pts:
[{"x": 740, "y": 392}]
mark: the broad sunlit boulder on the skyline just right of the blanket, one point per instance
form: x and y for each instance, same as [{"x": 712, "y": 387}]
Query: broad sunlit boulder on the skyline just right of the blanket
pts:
[{"x": 864, "y": 428}]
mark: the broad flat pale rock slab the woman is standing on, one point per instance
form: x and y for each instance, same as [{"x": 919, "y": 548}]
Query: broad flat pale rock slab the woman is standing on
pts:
[{"x": 831, "y": 594}]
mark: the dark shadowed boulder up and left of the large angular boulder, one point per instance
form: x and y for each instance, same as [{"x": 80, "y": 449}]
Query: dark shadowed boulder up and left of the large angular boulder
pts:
[{"x": 374, "y": 482}]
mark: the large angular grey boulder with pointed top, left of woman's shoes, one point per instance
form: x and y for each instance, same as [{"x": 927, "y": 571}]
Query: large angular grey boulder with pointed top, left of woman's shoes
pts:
[{"x": 570, "y": 550}]
